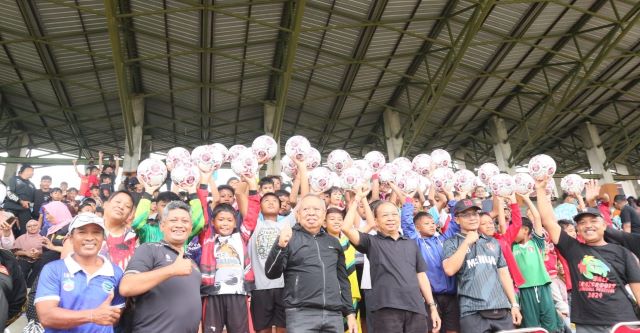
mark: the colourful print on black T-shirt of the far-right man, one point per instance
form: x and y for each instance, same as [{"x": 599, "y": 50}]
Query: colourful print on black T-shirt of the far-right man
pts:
[{"x": 597, "y": 272}]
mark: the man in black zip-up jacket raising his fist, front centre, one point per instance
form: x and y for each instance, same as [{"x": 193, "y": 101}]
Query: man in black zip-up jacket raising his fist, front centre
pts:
[{"x": 317, "y": 290}]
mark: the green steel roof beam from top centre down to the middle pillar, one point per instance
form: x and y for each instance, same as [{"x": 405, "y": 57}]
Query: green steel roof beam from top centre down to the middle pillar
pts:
[{"x": 287, "y": 66}]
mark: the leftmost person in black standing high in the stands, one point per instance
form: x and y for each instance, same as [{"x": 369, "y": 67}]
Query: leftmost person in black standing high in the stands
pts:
[{"x": 20, "y": 196}]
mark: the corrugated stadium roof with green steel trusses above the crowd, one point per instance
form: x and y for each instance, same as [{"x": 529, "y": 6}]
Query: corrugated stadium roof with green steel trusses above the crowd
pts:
[{"x": 70, "y": 69}]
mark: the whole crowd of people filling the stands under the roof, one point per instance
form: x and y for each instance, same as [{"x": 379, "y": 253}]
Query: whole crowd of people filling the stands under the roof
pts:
[{"x": 259, "y": 255}]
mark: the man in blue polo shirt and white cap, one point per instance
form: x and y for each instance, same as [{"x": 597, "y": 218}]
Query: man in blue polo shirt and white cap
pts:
[{"x": 80, "y": 292}]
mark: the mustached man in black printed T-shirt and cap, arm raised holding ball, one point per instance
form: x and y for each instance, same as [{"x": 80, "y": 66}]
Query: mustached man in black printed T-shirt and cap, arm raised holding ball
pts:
[{"x": 599, "y": 270}]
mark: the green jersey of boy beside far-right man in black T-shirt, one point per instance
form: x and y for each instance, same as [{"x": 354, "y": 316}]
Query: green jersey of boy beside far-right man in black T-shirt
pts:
[{"x": 530, "y": 259}]
